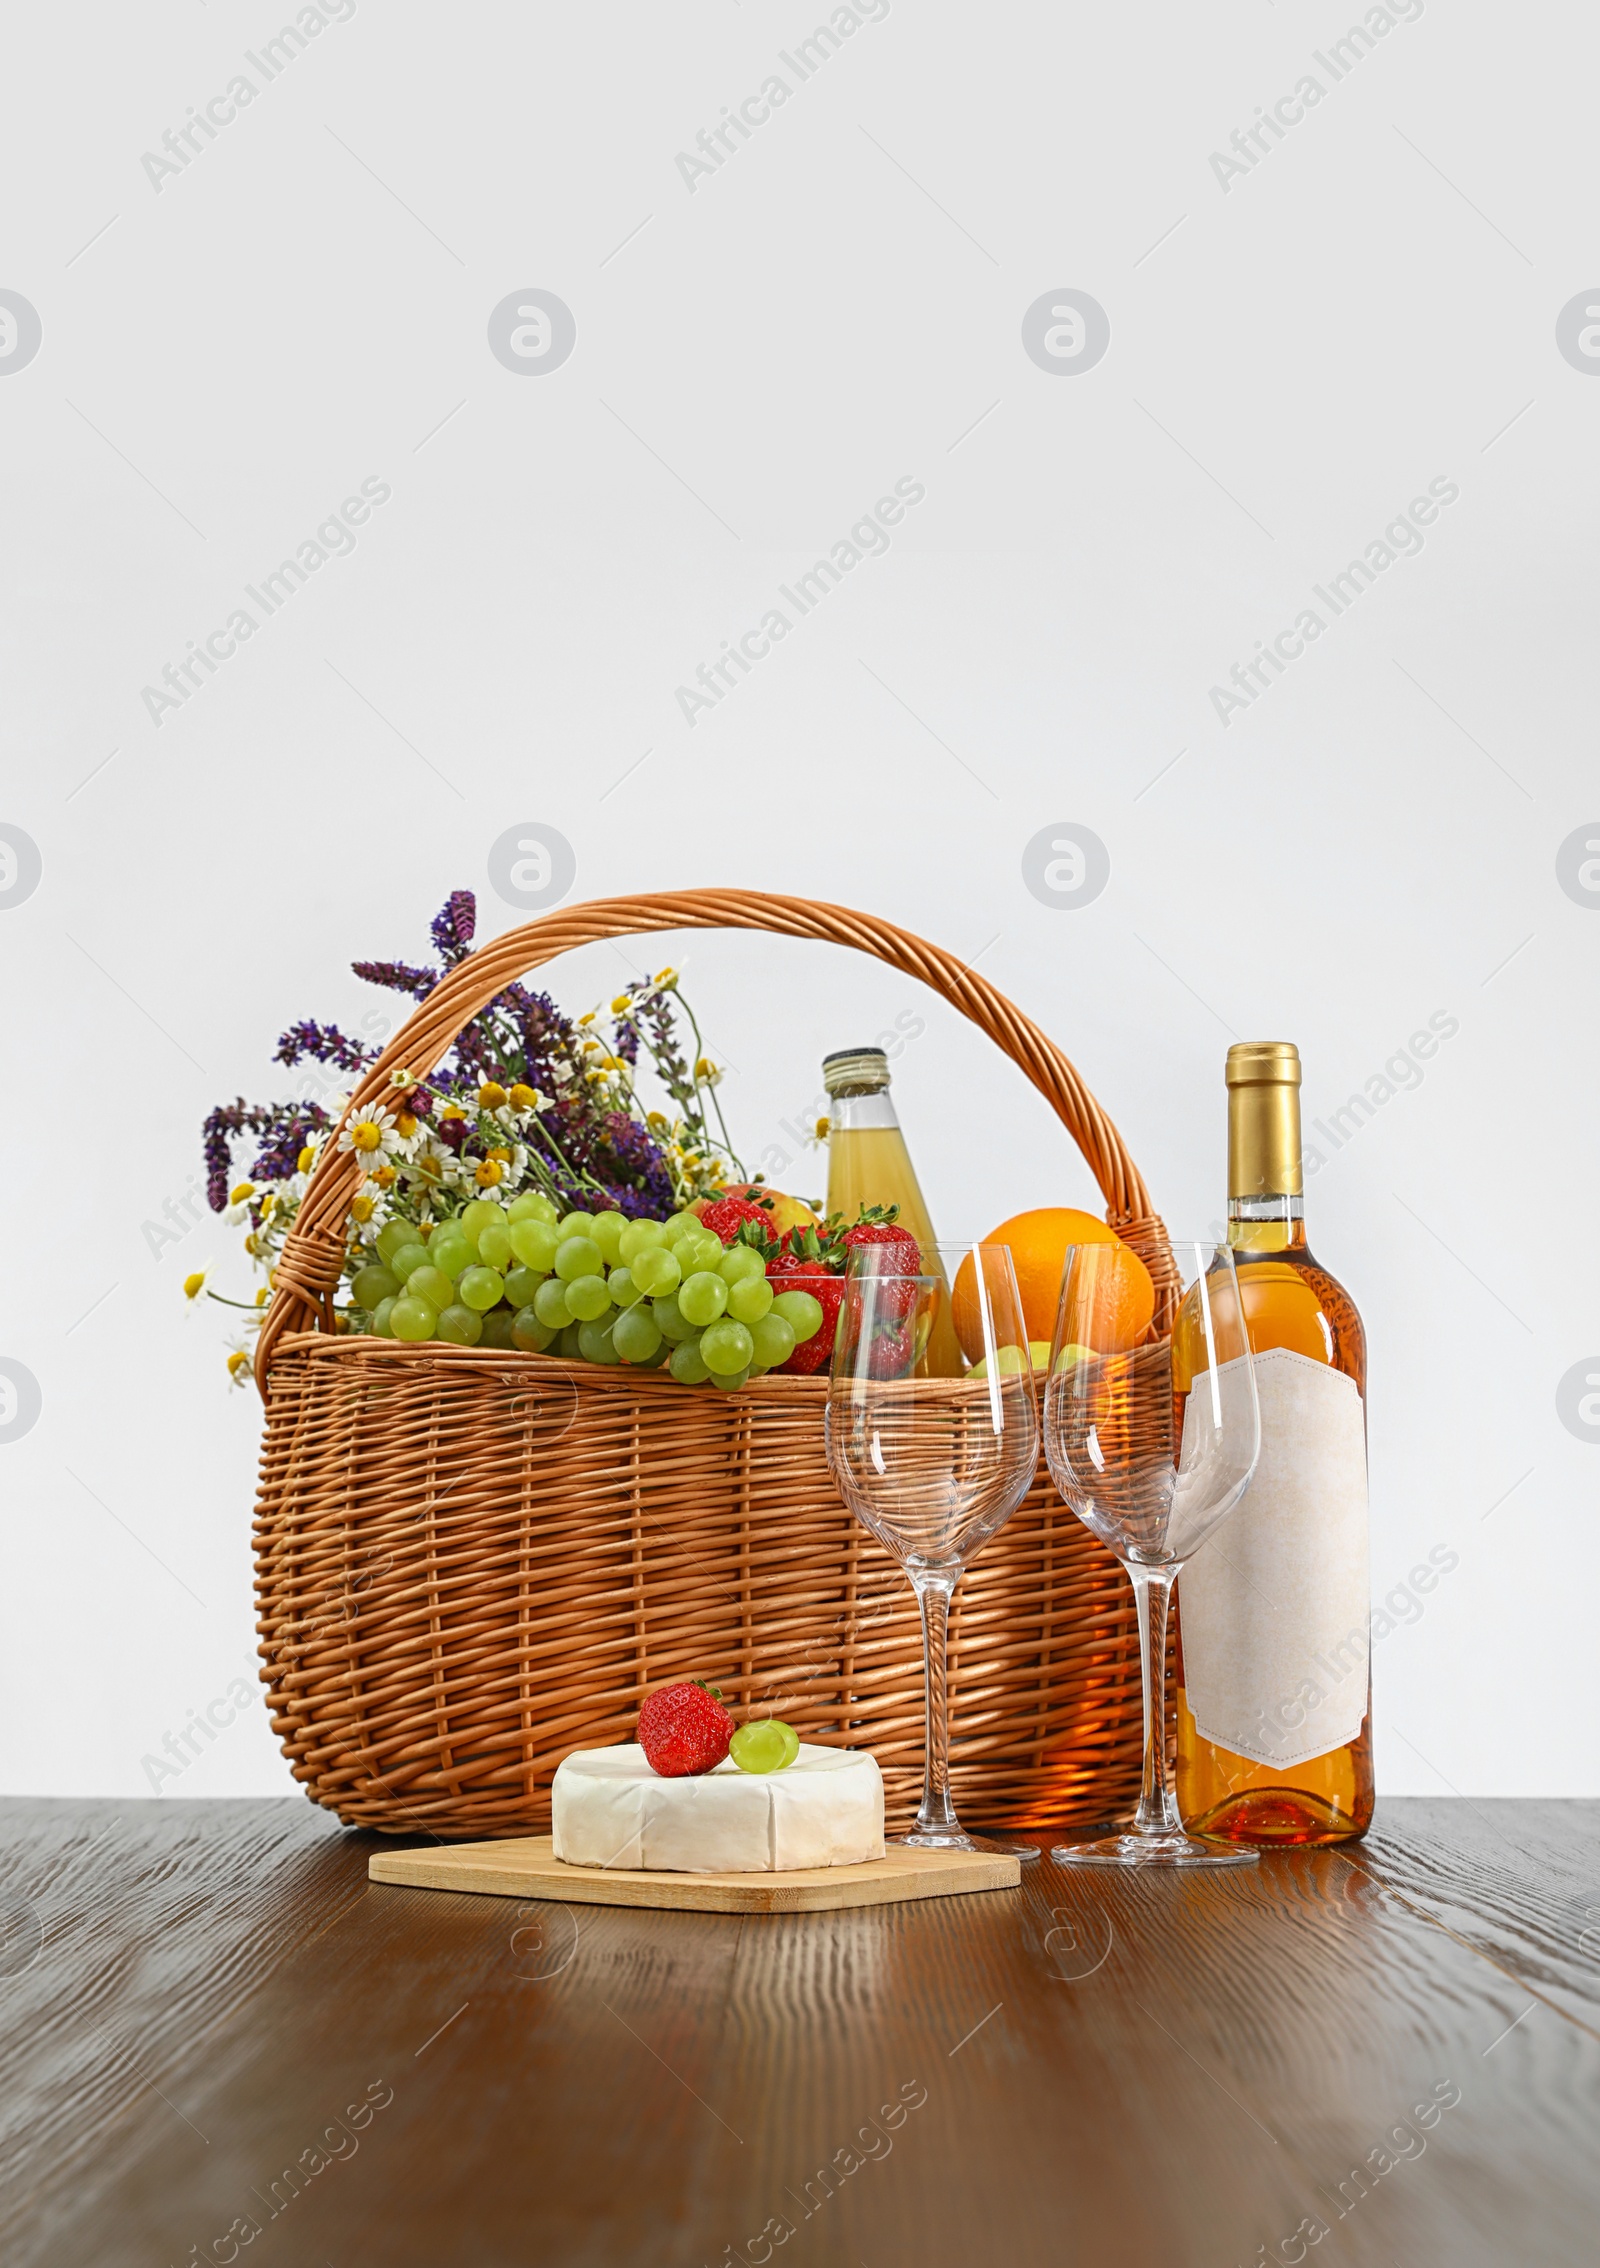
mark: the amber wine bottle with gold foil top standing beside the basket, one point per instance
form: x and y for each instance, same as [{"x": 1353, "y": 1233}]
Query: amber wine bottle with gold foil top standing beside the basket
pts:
[{"x": 1274, "y": 1611}]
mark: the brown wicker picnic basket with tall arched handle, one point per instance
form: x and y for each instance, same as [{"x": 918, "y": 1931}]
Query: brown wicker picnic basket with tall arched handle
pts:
[{"x": 471, "y": 1564}]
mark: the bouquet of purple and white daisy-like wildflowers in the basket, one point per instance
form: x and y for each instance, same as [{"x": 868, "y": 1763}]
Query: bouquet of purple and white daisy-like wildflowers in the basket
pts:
[{"x": 525, "y": 1106}]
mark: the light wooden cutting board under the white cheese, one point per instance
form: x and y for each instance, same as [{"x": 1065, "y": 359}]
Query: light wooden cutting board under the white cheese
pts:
[{"x": 530, "y": 1870}]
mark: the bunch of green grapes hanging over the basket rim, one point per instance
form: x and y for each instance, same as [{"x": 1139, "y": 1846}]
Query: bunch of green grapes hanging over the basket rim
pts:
[{"x": 600, "y": 1287}]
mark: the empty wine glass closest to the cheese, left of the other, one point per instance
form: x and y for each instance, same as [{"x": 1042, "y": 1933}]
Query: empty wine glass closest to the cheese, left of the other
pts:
[{"x": 934, "y": 1464}]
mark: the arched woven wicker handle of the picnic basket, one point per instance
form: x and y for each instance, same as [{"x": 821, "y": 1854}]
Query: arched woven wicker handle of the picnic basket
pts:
[{"x": 314, "y": 1251}]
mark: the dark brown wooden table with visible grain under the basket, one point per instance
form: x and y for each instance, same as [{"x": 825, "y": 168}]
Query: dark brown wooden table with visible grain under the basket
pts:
[{"x": 224, "y": 2045}]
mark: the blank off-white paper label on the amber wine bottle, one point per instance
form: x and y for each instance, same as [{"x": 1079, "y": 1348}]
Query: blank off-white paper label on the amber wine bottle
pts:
[{"x": 1277, "y": 1602}]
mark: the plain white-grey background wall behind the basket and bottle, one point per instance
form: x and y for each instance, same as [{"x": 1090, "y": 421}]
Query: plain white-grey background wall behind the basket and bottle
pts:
[{"x": 841, "y": 305}]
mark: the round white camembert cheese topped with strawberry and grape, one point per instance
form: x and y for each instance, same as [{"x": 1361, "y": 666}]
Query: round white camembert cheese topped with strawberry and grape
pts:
[{"x": 614, "y": 1811}]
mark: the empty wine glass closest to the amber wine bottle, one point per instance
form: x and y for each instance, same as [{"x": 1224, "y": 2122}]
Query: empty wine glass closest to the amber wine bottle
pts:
[{"x": 1152, "y": 1446}]
